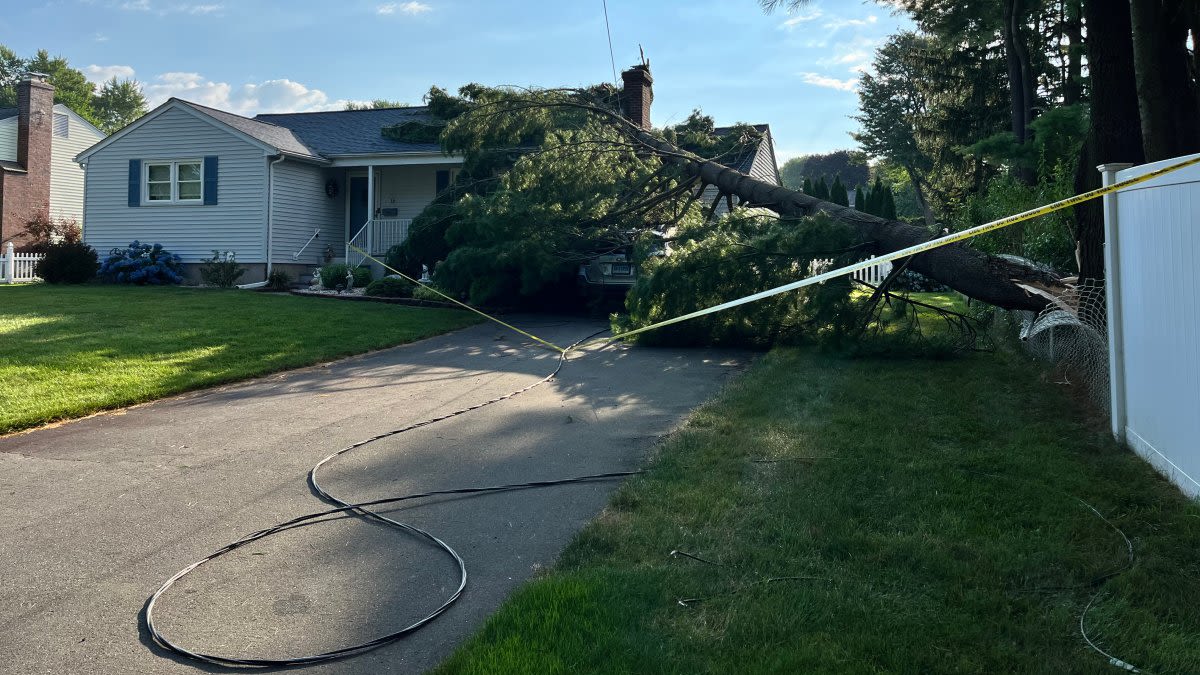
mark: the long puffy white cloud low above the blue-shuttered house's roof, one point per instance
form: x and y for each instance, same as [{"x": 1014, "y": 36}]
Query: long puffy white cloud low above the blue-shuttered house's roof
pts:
[{"x": 250, "y": 99}]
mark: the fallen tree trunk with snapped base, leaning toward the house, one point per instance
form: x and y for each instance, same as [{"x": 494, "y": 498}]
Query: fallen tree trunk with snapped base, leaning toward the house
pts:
[{"x": 970, "y": 272}]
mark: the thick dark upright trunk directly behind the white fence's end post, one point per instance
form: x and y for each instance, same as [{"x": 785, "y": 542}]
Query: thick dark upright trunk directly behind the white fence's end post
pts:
[{"x": 1115, "y": 132}]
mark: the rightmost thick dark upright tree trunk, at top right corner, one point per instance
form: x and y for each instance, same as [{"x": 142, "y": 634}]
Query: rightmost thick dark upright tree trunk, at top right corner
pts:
[{"x": 1167, "y": 94}]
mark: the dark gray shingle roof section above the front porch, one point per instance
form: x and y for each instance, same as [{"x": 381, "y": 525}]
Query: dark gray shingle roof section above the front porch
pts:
[{"x": 353, "y": 133}]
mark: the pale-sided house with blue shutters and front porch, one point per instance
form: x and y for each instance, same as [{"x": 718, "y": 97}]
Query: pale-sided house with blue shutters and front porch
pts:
[{"x": 280, "y": 192}]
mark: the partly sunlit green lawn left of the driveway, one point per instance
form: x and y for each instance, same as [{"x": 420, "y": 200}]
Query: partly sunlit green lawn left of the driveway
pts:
[{"x": 69, "y": 351}]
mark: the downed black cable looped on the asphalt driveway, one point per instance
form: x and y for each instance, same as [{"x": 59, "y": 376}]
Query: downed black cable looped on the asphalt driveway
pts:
[{"x": 362, "y": 509}]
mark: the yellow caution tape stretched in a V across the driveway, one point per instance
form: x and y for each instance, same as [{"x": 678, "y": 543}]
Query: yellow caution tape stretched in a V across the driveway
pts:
[{"x": 833, "y": 274}]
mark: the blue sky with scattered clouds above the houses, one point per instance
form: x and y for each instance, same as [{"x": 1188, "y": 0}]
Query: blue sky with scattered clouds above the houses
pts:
[{"x": 795, "y": 71}]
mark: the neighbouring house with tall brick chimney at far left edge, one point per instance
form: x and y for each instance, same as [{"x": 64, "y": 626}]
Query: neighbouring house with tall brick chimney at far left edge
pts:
[{"x": 39, "y": 141}]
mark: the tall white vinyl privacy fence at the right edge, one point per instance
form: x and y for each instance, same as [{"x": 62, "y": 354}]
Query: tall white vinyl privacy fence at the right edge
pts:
[{"x": 1153, "y": 235}]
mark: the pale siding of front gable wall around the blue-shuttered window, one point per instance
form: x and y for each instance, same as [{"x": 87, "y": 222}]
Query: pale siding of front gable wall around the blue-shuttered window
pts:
[{"x": 237, "y": 223}]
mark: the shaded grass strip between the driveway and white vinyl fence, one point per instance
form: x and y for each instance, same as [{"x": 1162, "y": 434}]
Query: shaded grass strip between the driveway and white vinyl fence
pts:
[{"x": 871, "y": 516}]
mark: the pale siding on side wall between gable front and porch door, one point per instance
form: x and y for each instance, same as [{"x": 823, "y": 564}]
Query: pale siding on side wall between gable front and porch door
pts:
[{"x": 301, "y": 208}]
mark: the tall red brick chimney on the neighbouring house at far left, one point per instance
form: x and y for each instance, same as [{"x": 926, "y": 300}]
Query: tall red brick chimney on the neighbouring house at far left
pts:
[{"x": 26, "y": 192}]
